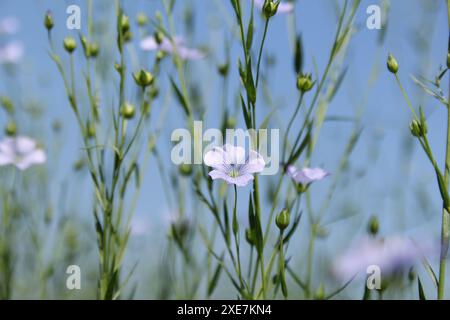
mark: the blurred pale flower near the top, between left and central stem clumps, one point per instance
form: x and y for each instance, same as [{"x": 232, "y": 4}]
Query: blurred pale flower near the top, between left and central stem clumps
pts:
[{"x": 176, "y": 46}]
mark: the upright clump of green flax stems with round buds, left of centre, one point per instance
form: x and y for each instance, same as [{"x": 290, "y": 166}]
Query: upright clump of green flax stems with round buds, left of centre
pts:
[{"x": 111, "y": 141}]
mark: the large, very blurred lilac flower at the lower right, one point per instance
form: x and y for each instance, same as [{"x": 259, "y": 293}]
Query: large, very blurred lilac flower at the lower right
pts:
[{"x": 392, "y": 255}]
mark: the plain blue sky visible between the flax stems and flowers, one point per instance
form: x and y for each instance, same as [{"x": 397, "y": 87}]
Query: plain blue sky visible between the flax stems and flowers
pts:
[{"x": 389, "y": 175}]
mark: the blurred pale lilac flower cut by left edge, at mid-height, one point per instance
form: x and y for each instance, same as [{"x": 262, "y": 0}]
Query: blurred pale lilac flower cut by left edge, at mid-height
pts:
[{"x": 21, "y": 152}]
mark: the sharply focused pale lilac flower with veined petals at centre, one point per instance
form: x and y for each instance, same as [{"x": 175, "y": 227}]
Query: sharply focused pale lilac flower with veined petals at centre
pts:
[{"x": 233, "y": 164}]
